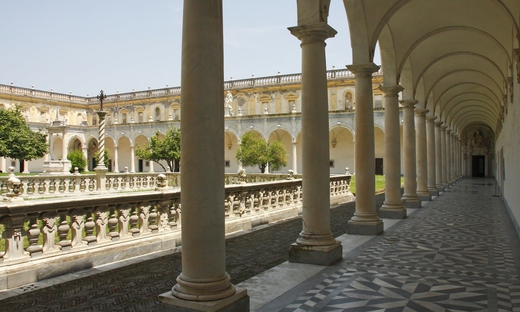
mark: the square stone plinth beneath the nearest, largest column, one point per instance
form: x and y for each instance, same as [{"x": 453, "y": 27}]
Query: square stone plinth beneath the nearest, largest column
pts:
[{"x": 237, "y": 302}]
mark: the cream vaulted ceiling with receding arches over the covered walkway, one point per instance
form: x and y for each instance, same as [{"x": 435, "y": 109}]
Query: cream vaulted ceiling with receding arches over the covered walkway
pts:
[{"x": 455, "y": 57}]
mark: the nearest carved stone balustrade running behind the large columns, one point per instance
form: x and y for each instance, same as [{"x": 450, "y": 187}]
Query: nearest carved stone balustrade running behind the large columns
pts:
[{"x": 50, "y": 227}]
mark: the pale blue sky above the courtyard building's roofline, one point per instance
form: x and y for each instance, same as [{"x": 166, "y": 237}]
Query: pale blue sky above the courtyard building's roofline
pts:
[{"x": 120, "y": 45}]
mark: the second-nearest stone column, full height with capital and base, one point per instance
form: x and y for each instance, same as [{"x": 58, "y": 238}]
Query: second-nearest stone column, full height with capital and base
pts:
[{"x": 315, "y": 245}]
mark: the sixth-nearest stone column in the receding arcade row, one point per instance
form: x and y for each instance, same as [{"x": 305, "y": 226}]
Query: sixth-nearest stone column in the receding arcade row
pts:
[{"x": 421, "y": 155}]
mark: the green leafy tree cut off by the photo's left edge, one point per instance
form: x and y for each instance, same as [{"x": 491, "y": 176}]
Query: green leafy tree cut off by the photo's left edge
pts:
[{"x": 17, "y": 140}]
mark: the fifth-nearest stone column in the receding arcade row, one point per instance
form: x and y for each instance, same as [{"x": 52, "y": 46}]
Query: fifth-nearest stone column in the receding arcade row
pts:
[{"x": 410, "y": 198}]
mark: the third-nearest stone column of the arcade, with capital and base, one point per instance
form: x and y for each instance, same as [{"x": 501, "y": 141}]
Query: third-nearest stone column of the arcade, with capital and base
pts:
[{"x": 365, "y": 220}]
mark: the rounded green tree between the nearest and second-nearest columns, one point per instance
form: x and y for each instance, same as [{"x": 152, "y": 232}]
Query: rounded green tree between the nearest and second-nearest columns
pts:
[{"x": 255, "y": 151}]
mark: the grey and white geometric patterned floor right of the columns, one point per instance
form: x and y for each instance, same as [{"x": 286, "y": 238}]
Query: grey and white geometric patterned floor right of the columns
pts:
[{"x": 459, "y": 252}]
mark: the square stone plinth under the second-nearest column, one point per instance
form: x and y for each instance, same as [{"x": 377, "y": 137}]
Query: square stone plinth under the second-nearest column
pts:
[{"x": 320, "y": 255}]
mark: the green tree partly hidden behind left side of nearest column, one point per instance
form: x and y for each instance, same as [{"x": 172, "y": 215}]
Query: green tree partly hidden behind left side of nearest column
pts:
[{"x": 166, "y": 148}]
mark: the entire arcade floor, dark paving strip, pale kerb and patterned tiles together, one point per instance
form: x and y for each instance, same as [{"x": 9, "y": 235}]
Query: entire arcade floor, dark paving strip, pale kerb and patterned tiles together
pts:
[{"x": 458, "y": 253}]
